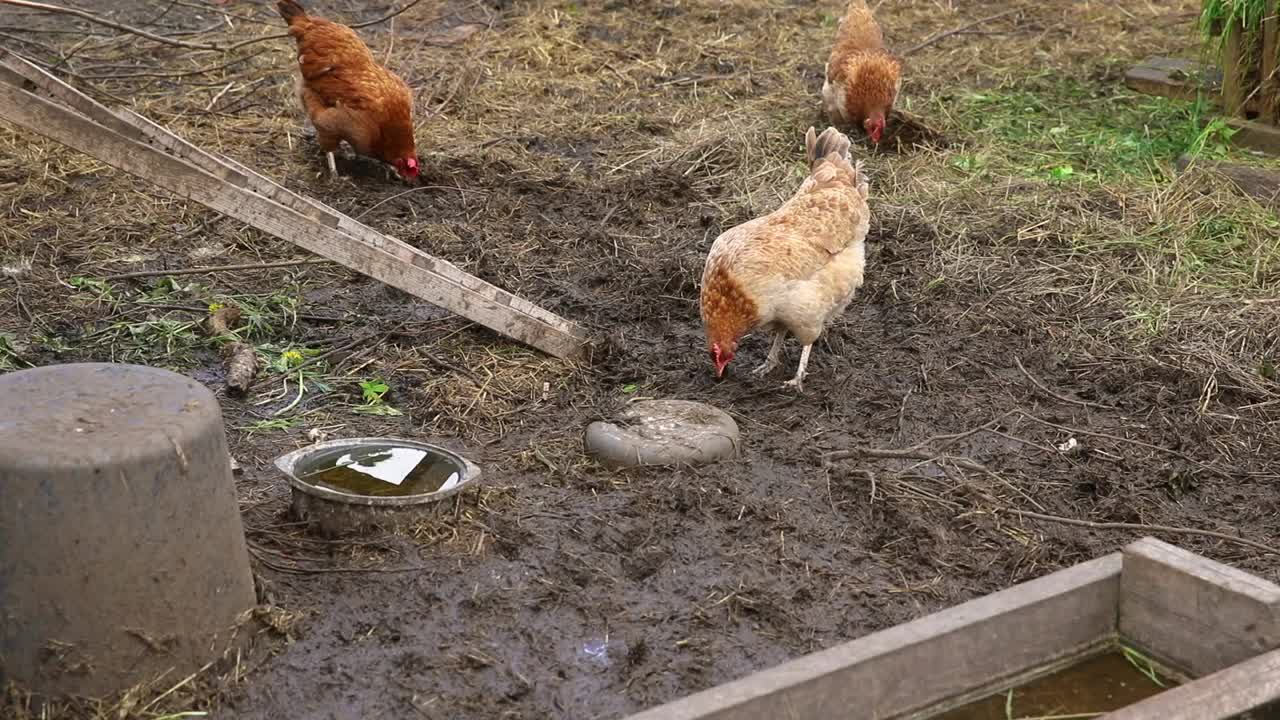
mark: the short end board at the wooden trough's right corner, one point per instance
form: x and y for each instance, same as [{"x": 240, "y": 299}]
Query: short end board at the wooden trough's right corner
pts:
[{"x": 1192, "y": 613}]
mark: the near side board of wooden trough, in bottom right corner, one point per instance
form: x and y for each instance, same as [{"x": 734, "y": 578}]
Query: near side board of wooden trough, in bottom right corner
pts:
[{"x": 1222, "y": 696}]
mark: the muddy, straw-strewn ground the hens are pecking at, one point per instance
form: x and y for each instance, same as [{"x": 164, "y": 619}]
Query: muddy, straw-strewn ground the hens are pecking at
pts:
[{"x": 586, "y": 156}]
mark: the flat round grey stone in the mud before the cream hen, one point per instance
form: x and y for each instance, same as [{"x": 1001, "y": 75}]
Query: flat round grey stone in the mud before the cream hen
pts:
[{"x": 665, "y": 432}]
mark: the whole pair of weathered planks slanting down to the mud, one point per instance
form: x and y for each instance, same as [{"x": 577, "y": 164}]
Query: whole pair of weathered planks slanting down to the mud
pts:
[{"x": 139, "y": 147}]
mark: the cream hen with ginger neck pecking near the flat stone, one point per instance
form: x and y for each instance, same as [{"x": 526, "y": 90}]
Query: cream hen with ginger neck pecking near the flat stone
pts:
[{"x": 794, "y": 270}]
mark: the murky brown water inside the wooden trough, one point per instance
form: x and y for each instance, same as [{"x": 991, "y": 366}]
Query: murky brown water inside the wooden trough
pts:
[{"x": 1099, "y": 685}]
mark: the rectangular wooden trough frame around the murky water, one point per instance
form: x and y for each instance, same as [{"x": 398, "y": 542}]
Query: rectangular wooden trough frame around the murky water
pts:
[{"x": 1213, "y": 625}]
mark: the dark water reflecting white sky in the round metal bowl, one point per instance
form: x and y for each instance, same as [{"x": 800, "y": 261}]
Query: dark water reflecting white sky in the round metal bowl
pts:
[{"x": 383, "y": 471}]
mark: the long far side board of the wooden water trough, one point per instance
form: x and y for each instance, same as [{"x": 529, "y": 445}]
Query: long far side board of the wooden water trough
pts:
[{"x": 915, "y": 667}]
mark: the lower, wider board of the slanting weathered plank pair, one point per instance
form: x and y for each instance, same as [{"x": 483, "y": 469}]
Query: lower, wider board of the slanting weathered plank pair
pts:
[{"x": 62, "y": 125}]
